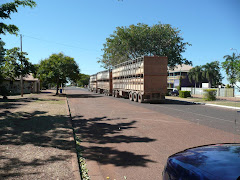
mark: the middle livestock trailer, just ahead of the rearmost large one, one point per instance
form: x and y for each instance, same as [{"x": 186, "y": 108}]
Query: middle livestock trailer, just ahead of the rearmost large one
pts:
[{"x": 104, "y": 82}]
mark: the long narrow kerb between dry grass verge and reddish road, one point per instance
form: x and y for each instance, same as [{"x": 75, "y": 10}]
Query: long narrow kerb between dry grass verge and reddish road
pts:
[{"x": 75, "y": 163}]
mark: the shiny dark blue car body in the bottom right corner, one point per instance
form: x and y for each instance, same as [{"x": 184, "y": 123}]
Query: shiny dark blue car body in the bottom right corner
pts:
[{"x": 213, "y": 162}]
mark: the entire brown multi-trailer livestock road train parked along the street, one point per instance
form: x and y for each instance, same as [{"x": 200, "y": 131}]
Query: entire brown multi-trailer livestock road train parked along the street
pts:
[{"x": 141, "y": 79}]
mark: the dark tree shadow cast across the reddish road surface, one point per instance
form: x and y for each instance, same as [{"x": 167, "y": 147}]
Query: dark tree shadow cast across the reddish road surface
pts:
[{"x": 105, "y": 131}]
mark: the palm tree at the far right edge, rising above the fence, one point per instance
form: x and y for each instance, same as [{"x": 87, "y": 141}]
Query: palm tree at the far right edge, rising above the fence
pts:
[{"x": 231, "y": 66}]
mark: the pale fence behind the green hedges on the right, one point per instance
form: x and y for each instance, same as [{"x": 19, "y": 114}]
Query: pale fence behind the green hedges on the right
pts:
[{"x": 221, "y": 92}]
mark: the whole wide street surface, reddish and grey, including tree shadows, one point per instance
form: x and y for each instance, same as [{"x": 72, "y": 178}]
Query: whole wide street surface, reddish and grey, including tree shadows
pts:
[{"x": 126, "y": 139}]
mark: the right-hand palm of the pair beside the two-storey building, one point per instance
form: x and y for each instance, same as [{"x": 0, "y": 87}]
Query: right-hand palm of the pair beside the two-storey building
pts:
[{"x": 211, "y": 71}]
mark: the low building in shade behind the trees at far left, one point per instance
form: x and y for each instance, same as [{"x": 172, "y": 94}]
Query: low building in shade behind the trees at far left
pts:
[{"x": 30, "y": 85}]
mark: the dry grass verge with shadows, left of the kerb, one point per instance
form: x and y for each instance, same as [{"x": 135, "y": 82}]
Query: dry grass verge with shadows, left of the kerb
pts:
[{"x": 36, "y": 138}]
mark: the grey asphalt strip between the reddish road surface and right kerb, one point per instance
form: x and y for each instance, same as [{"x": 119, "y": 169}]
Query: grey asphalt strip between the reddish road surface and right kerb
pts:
[{"x": 216, "y": 117}]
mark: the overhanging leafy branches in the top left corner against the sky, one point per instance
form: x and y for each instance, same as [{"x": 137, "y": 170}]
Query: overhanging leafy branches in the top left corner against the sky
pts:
[{"x": 5, "y": 13}]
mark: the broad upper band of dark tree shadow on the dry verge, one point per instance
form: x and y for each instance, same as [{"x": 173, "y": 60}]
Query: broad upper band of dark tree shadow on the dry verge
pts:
[{"x": 34, "y": 128}]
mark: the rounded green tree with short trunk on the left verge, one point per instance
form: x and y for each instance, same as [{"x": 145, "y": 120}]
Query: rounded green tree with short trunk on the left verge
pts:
[{"x": 58, "y": 69}]
